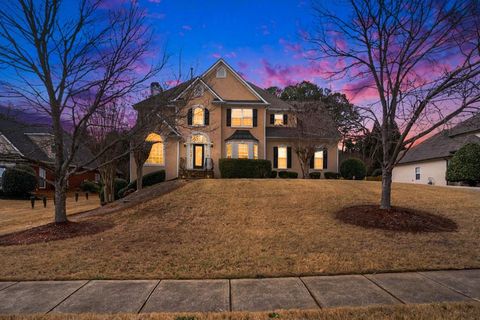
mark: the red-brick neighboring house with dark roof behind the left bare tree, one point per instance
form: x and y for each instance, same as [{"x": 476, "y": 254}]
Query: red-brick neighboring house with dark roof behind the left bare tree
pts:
[{"x": 22, "y": 143}]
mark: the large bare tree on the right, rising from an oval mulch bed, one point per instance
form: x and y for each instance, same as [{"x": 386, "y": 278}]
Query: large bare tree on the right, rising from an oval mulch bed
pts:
[{"x": 421, "y": 57}]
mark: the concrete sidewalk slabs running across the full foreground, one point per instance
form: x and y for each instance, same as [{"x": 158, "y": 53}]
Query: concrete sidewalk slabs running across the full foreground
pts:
[{"x": 133, "y": 296}]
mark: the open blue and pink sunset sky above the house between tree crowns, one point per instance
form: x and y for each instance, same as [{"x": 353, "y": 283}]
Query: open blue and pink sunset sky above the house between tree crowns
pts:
[{"x": 263, "y": 40}]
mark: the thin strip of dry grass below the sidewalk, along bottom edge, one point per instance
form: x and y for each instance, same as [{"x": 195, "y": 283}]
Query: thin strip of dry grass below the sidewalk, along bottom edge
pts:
[{"x": 443, "y": 311}]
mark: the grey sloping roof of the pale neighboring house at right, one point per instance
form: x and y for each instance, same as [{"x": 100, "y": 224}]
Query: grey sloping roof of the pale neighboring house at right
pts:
[{"x": 445, "y": 143}]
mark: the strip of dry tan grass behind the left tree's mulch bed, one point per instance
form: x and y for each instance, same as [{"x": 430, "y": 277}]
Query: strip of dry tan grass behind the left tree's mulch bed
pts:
[{"x": 18, "y": 215}]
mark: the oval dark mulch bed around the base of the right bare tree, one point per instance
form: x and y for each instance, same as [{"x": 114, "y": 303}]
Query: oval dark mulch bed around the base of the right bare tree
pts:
[{"x": 395, "y": 219}]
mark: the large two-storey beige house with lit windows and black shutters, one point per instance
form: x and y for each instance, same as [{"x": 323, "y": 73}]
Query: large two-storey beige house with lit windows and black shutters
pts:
[{"x": 227, "y": 117}]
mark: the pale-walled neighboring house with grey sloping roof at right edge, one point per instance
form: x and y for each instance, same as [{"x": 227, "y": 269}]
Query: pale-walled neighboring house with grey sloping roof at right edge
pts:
[{"x": 427, "y": 162}]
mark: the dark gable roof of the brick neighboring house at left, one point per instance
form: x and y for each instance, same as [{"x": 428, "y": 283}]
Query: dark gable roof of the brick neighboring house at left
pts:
[{"x": 33, "y": 141}]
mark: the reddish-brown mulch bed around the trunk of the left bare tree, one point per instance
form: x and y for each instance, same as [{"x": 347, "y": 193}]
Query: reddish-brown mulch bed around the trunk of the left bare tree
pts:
[{"x": 54, "y": 231}]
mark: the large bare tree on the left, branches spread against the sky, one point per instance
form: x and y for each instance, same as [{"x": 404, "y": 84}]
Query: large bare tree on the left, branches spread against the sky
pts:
[{"x": 70, "y": 63}]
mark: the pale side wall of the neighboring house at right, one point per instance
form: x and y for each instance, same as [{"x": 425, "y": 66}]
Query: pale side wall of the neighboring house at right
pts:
[{"x": 435, "y": 169}]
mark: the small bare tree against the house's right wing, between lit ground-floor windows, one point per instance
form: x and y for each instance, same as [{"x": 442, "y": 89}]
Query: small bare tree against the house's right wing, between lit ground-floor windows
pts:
[{"x": 313, "y": 132}]
